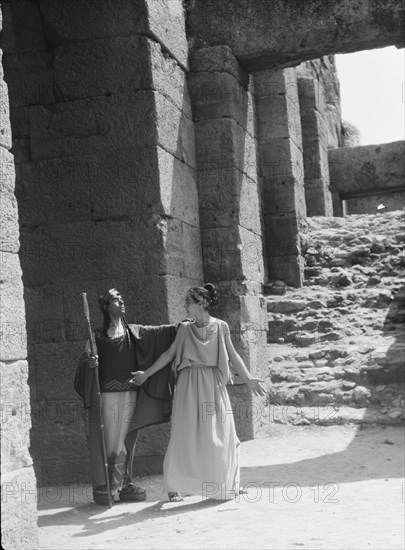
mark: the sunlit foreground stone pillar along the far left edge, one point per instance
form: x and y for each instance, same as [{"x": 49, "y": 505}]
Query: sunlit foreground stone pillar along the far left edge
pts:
[{"x": 18, "y": 484}]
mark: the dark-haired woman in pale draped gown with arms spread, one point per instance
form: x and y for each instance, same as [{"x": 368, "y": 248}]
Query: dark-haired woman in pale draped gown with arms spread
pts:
[{"x": 203, "y": 456}]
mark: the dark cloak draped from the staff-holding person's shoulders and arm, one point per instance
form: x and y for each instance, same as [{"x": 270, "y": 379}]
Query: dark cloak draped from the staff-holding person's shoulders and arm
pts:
[{"x": 154, "y": 400}]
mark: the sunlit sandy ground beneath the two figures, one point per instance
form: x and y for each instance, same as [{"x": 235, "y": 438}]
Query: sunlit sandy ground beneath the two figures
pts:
[{"x": 308, "y": 487}]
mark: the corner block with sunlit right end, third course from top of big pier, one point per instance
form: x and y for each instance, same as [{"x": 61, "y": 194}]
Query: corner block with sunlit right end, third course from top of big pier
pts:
[{"x": 103, "y": 126}]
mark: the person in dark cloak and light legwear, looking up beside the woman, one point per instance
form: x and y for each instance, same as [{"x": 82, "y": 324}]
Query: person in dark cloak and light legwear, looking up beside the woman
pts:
[{"x": 121, "y": 348}]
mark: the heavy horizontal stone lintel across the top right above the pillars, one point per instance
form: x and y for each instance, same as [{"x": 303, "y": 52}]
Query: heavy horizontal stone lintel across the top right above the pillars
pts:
[{"x": 265, "y": 35}]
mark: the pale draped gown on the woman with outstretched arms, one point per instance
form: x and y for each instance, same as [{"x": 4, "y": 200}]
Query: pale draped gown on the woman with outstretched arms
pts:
[{"x": 203, "y": 456}]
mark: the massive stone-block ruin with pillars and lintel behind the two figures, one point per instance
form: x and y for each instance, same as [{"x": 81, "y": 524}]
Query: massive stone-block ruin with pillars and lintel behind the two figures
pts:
[{"x": 100, "y": 95}]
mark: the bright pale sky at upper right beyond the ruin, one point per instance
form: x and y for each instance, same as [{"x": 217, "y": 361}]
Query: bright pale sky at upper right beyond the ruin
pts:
[{"x": 372, "y": 88}]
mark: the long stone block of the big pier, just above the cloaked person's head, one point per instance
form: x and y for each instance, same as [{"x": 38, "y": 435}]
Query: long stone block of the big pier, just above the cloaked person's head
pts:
[{"x": 63, "y": 249}]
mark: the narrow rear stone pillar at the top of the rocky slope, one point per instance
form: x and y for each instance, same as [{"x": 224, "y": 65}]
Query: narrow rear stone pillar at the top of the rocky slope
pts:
[{"x": 314, "y": 137}]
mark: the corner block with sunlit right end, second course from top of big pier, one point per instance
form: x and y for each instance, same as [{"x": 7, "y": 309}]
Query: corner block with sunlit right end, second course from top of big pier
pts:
[{"x": 119, "y": 67}]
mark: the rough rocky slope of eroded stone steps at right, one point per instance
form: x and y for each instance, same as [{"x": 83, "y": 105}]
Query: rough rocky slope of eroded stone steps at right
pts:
[{"x": 337, "y": 346}]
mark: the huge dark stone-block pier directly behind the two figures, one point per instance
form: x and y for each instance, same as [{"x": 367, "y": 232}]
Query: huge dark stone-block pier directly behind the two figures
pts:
[{"x": 107, "y": 193}]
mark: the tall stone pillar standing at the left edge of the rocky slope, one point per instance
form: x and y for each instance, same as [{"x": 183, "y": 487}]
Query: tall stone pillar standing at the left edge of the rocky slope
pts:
[{"x": 282, "y": 173}]
